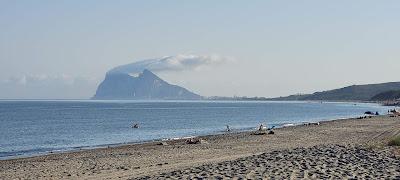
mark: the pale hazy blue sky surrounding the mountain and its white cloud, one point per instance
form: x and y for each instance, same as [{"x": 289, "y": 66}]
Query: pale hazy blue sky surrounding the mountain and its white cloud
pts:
[{"x": 62, "y": 49}]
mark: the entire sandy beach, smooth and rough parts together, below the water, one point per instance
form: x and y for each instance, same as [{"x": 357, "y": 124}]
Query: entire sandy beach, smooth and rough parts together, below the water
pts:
[{"x": 350, "y": 148}]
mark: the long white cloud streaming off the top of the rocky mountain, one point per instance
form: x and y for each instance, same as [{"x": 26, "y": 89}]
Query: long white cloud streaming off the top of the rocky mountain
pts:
[{"x": 171, "y": 63}]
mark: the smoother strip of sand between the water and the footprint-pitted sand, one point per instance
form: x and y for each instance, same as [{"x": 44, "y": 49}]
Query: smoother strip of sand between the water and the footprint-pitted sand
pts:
[{"x": 151, "y": 158}]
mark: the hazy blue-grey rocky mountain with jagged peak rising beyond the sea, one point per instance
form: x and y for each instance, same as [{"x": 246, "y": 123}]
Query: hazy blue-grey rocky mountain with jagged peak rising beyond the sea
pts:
[{"x": 146, "y": 86}]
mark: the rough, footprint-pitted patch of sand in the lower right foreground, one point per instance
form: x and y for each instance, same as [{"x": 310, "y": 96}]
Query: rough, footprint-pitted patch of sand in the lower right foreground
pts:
[{"x": 318, "y": 162}]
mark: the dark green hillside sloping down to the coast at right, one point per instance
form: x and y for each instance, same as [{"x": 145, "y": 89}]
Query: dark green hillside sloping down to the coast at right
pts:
[{"x": 350, "y": 93}]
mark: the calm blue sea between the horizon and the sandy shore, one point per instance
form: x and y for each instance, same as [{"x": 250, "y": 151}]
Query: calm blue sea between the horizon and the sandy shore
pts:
[{"x": 36, "y": 127}]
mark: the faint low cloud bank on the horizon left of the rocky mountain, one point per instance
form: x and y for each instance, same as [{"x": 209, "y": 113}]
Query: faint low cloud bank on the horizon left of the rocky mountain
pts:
[{"x": 47, "y": 87}]
